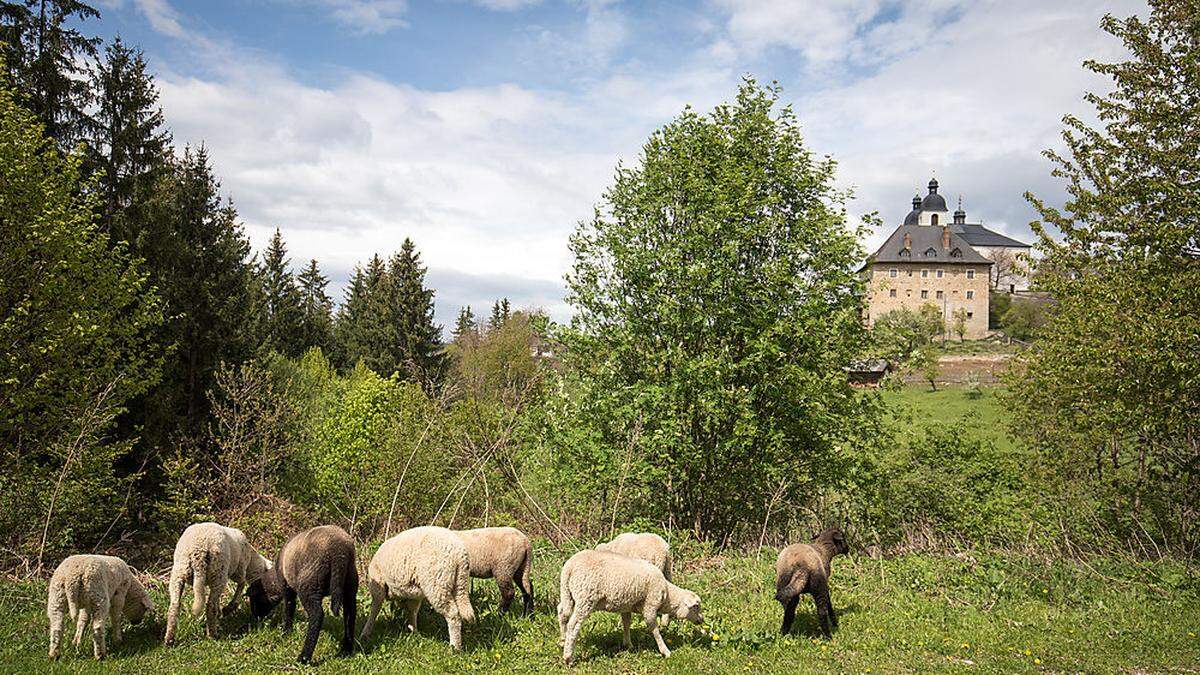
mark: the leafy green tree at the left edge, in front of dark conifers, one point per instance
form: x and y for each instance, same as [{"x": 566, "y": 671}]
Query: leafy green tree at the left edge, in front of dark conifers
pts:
[{"x": 79, "y": 324}]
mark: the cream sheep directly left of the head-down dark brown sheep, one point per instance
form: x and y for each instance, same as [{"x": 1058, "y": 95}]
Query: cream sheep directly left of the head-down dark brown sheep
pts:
[{"x": 209, "y": 555}]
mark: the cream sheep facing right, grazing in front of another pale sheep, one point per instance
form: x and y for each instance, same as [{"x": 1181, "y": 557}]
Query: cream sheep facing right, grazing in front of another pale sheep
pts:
[{"x": 601, "y": 581}]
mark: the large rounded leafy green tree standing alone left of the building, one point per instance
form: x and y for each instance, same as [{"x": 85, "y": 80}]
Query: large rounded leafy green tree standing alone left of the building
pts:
[{"x": 717, "y": 308}]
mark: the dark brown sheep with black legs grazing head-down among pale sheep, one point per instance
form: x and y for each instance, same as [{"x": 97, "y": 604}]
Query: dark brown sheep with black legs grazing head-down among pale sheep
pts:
[{"x": 313, "y": 565}]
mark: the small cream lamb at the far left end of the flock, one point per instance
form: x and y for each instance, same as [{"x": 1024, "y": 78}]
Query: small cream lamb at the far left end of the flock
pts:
[{"x": 92, "y": 589}]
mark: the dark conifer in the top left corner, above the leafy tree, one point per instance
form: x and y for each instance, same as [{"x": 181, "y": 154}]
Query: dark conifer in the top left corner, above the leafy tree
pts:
[{"x": 45, "y": 55}]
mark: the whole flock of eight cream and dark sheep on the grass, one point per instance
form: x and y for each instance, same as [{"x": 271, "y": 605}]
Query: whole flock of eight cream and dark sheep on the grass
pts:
[{"x": 626, "y": 576}]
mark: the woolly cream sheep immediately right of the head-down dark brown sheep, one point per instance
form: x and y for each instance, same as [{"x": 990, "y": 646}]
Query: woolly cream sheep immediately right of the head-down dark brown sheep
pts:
[{"x": 423, "y": 564}]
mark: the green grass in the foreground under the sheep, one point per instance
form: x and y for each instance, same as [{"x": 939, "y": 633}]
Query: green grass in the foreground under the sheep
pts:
[{"x": 910, "y": 614}]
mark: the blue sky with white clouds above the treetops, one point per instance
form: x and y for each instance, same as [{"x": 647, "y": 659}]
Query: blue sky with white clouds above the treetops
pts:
[{"x": 487, "y": 129}]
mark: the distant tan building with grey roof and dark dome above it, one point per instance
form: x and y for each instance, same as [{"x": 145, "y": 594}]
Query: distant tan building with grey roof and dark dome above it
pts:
[{"x": 927, "y": 262}]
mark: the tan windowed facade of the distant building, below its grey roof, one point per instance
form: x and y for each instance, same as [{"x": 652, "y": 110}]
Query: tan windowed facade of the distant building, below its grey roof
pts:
[{"x": 919, "y": 283}]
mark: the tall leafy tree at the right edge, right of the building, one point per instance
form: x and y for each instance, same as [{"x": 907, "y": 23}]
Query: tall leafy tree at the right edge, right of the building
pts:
[{"x": 1112, "y": 396}]
